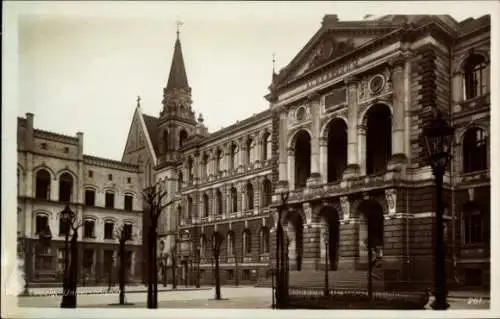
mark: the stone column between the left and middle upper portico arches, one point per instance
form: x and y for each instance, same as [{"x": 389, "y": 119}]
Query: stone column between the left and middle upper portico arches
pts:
[{"x": 314, "y": 101}]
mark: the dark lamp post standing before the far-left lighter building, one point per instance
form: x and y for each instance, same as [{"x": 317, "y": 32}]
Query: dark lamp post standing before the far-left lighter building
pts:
[{"x": 69, "y": 295}]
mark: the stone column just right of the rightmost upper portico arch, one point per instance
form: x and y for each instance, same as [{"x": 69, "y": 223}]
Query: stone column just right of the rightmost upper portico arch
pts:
[{"x": 398, "y": 120}]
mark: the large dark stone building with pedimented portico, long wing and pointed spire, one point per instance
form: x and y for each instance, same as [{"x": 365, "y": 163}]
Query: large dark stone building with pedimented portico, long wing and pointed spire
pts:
[{"x": 342, "y": 134}]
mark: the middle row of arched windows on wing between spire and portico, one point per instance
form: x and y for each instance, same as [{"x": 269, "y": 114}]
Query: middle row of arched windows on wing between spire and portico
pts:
[{"x": 266, "y": 200}]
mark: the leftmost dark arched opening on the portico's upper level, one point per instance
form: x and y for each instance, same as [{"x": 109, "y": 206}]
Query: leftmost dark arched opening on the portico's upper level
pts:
[{"x": 302, "y": 158}]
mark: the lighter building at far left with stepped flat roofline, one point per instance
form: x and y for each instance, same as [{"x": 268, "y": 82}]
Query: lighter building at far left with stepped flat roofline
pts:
[{"x": 52, "y": 172}]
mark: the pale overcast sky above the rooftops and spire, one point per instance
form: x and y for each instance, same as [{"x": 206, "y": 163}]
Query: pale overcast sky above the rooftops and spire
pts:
[{"x": 82, "y": 65}]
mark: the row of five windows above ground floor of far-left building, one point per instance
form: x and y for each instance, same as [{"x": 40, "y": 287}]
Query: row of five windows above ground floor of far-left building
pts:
[{"x": 42, "y": 223}]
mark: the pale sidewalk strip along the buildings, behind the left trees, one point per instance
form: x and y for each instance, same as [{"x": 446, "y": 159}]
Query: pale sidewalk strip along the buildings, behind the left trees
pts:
[{"x": 103, "y": 290}]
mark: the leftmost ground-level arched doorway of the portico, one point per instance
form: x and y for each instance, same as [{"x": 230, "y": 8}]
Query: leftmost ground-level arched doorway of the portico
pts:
[{"x": 294, "y": 239}]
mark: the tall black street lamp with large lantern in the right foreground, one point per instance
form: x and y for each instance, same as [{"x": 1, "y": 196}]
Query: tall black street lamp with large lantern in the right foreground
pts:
[{"x": 438, "y": 136}]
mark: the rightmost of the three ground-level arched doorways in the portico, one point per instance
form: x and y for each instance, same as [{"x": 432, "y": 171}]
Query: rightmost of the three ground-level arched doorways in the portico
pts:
[{"x": 371, "y": 229}]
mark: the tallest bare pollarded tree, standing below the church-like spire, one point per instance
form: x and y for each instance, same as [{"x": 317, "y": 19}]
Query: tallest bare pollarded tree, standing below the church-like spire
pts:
[{"x": 154, "y": 198}]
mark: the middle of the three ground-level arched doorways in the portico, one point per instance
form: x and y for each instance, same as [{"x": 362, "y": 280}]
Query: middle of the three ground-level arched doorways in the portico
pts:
[{"x": 330, "y": 217}]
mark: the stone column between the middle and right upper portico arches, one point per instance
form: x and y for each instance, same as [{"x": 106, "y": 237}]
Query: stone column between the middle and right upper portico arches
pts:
[{"x": 353, "y": 162}]
